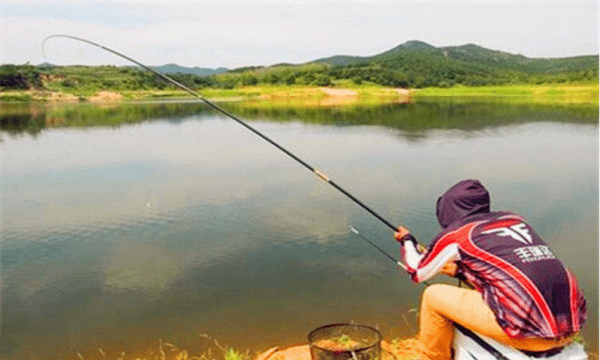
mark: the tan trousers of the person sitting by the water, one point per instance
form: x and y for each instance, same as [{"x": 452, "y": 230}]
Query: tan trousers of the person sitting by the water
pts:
[{"x": 444, "y": 304}]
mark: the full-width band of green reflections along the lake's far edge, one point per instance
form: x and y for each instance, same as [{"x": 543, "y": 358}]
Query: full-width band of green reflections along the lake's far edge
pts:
[{"x": 411, "y": 117}]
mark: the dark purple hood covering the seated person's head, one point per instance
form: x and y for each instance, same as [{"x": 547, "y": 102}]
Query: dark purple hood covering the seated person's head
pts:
[{"x": 466, "y": 198}]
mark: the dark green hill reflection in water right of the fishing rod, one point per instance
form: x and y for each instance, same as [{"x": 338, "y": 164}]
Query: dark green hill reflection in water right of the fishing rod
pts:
[{"x": 425, "y": 115}]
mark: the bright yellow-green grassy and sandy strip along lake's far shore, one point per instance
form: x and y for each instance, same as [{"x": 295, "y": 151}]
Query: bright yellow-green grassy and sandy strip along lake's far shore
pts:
[{"x": 545, "y": 94}]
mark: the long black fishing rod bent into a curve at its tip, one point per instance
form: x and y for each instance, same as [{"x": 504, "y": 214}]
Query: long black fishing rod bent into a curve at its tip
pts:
[{"x": 233, "y": 117}]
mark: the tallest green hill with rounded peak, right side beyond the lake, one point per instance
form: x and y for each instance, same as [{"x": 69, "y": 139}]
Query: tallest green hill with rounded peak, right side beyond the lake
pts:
[{"x": 425, "y": 65}]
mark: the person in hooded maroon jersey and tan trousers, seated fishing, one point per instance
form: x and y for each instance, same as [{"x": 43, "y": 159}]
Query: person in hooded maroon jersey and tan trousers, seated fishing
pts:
[{"x": 523, "y": 296}]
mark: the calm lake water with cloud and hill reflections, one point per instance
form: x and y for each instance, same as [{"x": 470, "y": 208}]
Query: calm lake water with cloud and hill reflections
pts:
[{"x": 186, "y": 227}]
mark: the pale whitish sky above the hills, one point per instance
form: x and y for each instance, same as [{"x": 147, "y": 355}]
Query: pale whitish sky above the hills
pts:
[{"x": 233, "y": 34}]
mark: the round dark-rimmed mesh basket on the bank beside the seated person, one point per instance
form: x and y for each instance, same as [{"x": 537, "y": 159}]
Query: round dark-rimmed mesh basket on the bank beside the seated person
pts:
[{"x": 345, "y": 342}]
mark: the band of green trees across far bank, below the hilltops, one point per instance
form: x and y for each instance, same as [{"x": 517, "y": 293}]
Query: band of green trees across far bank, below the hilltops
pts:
[{"x": 395, "y": 72}]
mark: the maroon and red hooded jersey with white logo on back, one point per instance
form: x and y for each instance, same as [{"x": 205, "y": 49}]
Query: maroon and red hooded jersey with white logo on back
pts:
[{"x": 530, "y": 292}]
